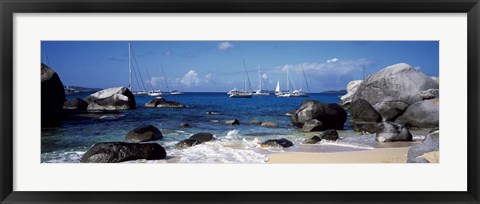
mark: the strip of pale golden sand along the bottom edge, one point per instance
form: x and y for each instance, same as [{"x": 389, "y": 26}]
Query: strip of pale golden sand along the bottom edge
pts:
[{"x": 382, "y": 155}]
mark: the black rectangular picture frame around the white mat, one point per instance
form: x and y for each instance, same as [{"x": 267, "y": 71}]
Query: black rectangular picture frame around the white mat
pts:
[{"x": 10, "y": 7}]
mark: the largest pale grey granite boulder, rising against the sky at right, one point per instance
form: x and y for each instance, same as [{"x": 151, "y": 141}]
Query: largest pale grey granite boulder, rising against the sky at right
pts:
[{"x": 395, "y": 83}]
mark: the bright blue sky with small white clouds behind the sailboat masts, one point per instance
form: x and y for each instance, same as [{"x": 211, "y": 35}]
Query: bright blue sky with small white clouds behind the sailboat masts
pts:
[{"x": 217, "y": 65}]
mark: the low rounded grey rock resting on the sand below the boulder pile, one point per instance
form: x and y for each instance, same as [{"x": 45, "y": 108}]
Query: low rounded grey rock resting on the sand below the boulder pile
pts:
[{"x": 390, "y": 132}]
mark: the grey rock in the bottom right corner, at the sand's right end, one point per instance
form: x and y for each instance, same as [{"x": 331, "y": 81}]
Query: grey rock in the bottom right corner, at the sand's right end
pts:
[{"x": 430, "y": 144}]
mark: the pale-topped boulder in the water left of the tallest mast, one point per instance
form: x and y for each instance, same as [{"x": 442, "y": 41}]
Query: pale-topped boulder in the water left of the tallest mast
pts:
[{"x": 116, "y": 98}]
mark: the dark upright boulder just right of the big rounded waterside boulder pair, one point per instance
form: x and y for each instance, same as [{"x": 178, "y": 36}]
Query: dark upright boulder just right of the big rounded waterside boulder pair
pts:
[{"x": 363, "y": 116}]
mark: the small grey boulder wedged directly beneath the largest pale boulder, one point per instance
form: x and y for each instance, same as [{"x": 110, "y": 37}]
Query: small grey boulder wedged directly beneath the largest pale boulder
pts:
[{"x": 390, "y": 110}]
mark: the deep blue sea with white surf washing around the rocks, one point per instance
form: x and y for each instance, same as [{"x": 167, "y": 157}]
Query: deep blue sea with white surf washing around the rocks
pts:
[{"x": 237, "y": 144}]
